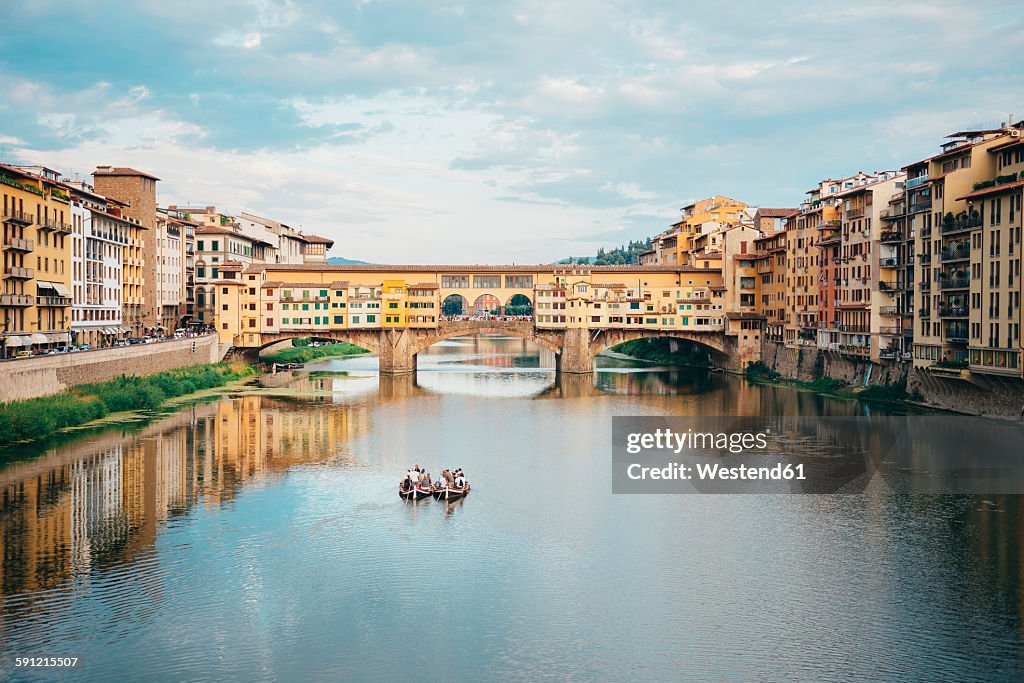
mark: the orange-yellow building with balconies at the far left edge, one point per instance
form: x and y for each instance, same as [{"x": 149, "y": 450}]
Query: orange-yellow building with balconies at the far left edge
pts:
[{"x": 36, "y": 297}]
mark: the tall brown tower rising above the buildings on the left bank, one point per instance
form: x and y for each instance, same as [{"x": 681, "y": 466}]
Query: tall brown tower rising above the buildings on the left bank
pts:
[{"x": 137, "y": 191}]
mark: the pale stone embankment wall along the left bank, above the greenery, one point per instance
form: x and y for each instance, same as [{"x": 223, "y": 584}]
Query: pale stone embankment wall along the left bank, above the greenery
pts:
[{"x": 45, "y": 375}]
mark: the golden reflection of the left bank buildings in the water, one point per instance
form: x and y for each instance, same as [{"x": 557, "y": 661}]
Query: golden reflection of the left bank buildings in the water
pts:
[{"x": 105, "y": 498}]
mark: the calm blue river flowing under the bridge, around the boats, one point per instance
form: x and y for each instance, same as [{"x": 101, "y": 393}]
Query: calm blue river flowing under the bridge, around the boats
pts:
[{"x": 260, "y": 537}]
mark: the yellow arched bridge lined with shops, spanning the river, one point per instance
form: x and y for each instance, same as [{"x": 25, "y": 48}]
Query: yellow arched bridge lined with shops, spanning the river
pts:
[{"x": 398, "y": 312}]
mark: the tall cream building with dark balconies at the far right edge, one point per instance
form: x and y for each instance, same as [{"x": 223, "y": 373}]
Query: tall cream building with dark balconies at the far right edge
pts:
[{"x": 964, "y": 210}]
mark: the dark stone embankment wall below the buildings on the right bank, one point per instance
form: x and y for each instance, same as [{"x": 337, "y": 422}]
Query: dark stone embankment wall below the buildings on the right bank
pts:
[{"x": 961, "y": 392}]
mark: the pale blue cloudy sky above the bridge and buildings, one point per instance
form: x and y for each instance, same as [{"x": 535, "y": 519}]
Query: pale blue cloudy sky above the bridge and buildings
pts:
[{"x": 485, "y": 133}]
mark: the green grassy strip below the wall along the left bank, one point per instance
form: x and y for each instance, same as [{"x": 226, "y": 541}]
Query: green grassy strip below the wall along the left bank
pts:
[{"x": 37, "y": 418}]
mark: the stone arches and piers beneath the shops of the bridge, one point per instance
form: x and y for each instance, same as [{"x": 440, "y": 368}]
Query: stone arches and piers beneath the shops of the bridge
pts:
[{"x": 575, "y": 349}]
